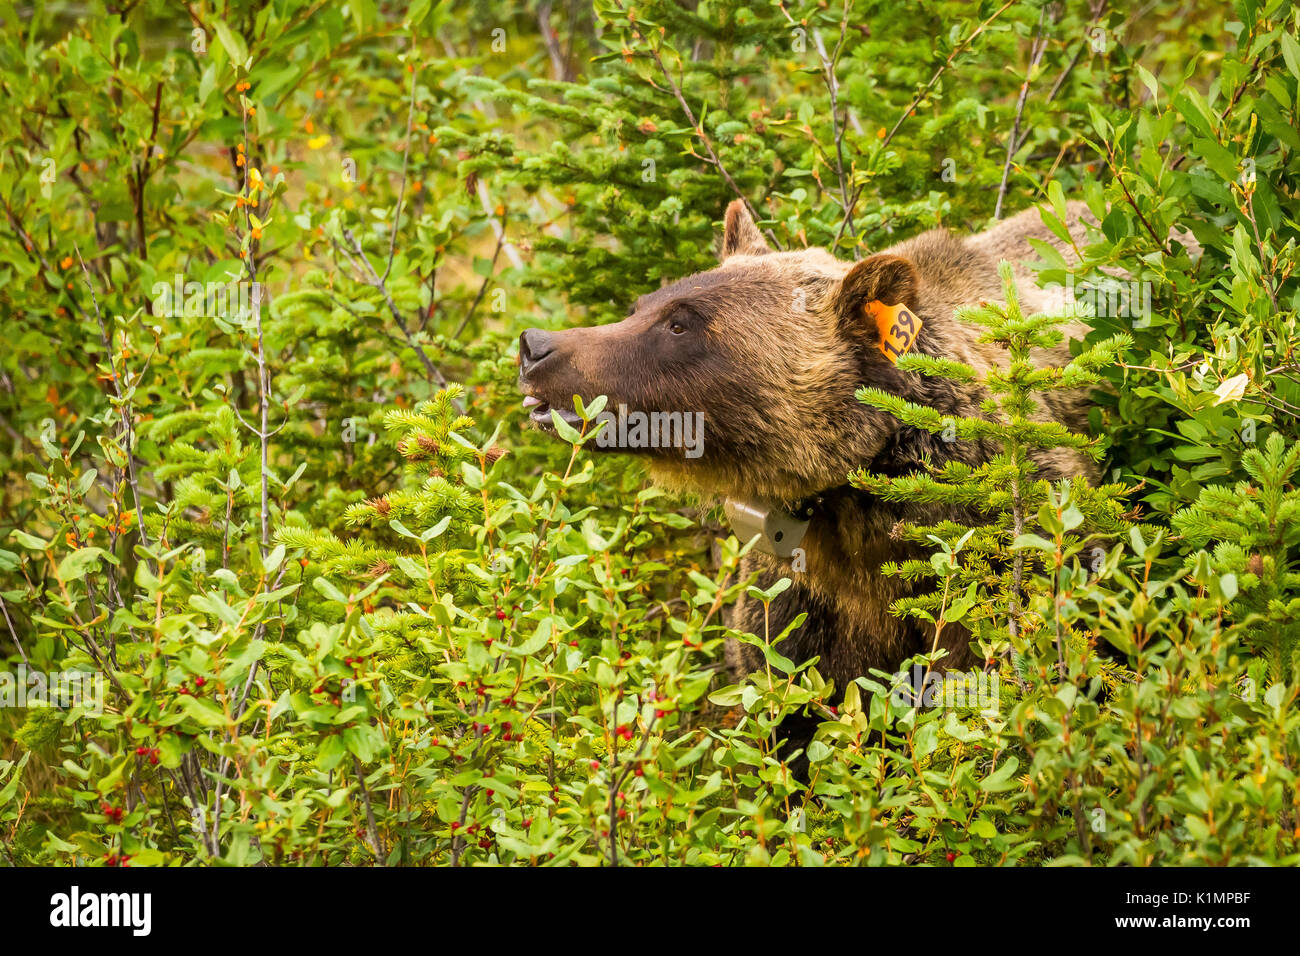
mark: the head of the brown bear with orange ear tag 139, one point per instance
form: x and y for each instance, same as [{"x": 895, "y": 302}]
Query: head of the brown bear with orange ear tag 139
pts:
[{"x": 756, "y": 364}]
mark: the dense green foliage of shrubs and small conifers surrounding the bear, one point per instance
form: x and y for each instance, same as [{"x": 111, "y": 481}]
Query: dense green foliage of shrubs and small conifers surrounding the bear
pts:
[{"x": 350, "y": 611}]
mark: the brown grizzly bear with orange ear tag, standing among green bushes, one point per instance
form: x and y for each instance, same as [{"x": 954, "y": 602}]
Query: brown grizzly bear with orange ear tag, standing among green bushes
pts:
[{"x": 766, "y": 353}]
